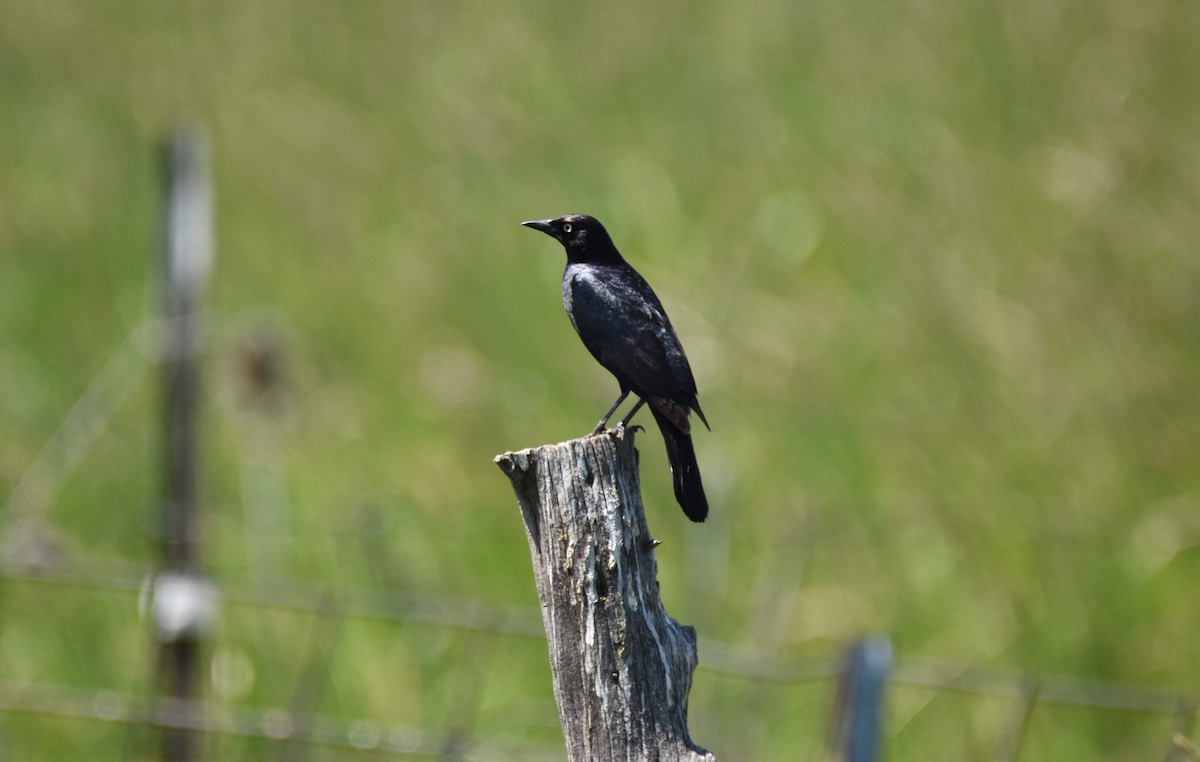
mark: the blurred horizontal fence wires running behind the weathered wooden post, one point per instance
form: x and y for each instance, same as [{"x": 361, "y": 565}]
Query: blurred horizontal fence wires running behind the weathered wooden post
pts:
[{"x": 279, "y": 724}]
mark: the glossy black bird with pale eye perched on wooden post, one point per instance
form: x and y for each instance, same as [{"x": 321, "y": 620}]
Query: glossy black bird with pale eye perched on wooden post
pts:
[{"x": 626, "y": 328}]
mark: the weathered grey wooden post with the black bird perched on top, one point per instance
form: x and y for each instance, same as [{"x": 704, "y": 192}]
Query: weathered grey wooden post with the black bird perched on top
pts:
[{"x": 622, "y": 668}]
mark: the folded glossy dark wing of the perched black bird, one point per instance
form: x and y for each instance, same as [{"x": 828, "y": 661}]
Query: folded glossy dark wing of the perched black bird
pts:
[{"x": 623, "y": 325}]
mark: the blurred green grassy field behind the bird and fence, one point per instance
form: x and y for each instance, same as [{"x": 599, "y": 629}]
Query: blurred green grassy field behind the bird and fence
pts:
[{"x": 935, "y": 266}]
